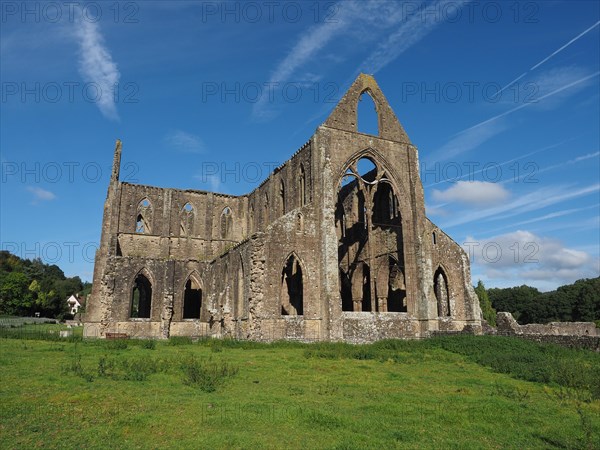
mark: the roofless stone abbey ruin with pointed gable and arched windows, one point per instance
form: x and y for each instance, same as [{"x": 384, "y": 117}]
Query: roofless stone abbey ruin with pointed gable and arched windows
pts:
[{"x": 323, "y": 249}]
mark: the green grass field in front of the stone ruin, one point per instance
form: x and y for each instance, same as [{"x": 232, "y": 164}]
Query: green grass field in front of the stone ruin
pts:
[{"x": 455, "y": 392}]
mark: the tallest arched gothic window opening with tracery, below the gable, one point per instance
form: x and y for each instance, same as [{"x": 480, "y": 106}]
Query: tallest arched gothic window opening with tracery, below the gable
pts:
[{"x": 370, "y": 240}]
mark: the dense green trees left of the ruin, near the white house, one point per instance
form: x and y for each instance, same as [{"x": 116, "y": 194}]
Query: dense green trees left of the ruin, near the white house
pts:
[{"x": 30, "y": 286}]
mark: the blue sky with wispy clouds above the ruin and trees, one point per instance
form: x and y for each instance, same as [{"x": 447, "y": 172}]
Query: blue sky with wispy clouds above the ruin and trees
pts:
[{"x": 501, "y": 98}]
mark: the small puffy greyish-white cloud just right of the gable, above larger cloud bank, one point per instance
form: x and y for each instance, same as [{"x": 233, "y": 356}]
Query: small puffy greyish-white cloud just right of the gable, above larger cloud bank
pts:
[{"x": 476, "y": 193}]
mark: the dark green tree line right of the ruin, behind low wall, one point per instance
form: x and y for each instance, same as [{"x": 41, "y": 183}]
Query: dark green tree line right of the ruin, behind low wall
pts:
[{"x": 577, "y": 302}]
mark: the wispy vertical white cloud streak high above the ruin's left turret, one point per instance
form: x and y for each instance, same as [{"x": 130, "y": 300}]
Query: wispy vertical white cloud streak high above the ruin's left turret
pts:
[{"x": 96, "y": 65}]
